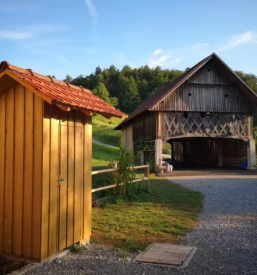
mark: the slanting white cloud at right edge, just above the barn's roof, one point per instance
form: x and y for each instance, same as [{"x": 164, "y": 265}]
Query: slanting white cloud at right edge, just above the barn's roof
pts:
[{"x": 248, "y": 37}]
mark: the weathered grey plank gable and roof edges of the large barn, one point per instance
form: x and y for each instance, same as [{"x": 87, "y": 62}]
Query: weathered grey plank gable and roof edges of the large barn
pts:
[{"x": 231, "y": 91}]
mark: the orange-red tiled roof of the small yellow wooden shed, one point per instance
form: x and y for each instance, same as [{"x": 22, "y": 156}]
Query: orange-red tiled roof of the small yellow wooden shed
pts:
[{"x": 60, "y": 93}]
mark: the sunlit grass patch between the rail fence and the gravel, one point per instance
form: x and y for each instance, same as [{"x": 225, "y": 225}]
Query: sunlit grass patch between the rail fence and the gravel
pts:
[{"x": 165, "y": 215}]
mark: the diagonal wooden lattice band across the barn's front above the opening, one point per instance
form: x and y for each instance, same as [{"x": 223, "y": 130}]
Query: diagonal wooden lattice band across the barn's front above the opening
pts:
[{"x": 193, "y": 124}]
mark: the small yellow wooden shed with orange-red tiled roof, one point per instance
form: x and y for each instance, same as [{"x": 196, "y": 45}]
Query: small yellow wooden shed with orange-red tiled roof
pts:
[{"x": 45, "y": 162}]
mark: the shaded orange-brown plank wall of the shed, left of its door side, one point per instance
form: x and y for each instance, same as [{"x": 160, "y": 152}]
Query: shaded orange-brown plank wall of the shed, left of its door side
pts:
[{"x": 20, "y": 133}]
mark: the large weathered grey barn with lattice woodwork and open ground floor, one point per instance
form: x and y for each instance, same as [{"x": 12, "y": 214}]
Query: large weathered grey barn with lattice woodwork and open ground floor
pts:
[{"x": 206, "y": 115}]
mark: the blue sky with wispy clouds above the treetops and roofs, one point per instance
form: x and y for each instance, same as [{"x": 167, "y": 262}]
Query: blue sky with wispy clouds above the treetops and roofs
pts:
[{"x": 74, "y": 36}]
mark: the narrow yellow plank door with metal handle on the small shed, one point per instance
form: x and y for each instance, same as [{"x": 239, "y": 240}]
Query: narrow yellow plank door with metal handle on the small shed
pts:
[{"x": 69, "y": 185}]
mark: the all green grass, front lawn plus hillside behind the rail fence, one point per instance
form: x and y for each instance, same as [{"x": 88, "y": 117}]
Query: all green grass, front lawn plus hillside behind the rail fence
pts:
[{"x": 164, "y": 215}]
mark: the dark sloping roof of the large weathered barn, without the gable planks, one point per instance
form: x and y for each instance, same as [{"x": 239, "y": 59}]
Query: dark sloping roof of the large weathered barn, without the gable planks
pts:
[{"x": 156, "y": 98}]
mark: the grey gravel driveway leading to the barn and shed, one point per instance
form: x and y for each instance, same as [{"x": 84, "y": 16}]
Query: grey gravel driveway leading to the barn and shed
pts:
[{"x": 226, "y": 237}]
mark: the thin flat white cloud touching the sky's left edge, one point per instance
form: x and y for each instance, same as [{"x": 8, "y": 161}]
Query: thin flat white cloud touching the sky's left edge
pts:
[{"x": 28, "y": 33}]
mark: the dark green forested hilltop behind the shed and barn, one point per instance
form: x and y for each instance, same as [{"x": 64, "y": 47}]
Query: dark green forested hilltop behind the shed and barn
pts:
[{"x": 125, "y": 89}]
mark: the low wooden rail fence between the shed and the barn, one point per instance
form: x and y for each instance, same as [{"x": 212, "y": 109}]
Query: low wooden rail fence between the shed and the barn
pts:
[{"x": 121, "y": 184}]
